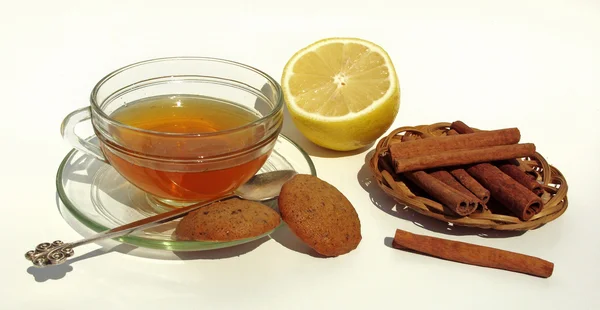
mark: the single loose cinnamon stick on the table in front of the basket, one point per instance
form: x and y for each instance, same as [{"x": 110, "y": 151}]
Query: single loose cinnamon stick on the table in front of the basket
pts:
[{"x": 473, "y": 254}]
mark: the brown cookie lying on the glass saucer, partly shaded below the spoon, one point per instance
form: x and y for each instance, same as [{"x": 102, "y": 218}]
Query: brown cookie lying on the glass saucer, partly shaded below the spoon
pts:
[{"x": 227, "y": 220}]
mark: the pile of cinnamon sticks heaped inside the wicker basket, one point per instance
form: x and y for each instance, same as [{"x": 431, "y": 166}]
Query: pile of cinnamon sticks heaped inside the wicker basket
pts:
[{"x": 464, "y": 169}]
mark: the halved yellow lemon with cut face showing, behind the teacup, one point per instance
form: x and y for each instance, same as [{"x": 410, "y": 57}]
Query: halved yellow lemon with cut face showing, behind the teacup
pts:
[{"x": 342, "y": 93}]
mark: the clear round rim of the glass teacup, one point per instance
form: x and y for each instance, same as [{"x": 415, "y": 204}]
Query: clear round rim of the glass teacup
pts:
[{"x": 278, "y": 105}]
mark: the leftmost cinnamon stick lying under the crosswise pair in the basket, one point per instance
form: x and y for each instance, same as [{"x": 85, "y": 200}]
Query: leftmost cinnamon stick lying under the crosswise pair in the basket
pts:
[{"x": 456, "y": 201}]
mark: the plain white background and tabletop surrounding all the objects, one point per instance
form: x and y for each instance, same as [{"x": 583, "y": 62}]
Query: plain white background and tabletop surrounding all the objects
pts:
[{"x": 530, "y": 64}]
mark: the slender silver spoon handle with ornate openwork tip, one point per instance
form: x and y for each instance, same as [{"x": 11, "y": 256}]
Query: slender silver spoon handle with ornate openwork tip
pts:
[{"x": 57, "y": 252}]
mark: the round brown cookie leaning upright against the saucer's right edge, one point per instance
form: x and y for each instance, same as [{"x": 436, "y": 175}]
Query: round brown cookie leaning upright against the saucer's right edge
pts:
[{"x": 320, "y": 215}]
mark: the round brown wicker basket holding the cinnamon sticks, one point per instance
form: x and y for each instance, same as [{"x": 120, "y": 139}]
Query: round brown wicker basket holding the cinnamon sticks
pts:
[{"x": 554, "y": 184}]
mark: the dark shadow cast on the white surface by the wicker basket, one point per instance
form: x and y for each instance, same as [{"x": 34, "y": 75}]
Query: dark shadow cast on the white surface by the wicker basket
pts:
[{"x": 386, "y": 204}]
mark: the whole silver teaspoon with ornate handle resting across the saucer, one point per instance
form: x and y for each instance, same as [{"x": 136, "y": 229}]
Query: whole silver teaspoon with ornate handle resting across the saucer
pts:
[{"x": 261, "y": 187}]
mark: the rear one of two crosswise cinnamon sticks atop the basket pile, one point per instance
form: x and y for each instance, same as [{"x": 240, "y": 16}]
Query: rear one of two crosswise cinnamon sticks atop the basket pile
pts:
[{"x": 433, "y": 145}]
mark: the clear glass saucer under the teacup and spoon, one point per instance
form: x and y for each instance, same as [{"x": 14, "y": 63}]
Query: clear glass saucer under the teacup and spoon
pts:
[{"x": 101, "y": 199}]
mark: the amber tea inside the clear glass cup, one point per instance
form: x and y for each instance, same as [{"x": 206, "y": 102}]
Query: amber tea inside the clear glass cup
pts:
[{"x": 182, "y": 114}]
